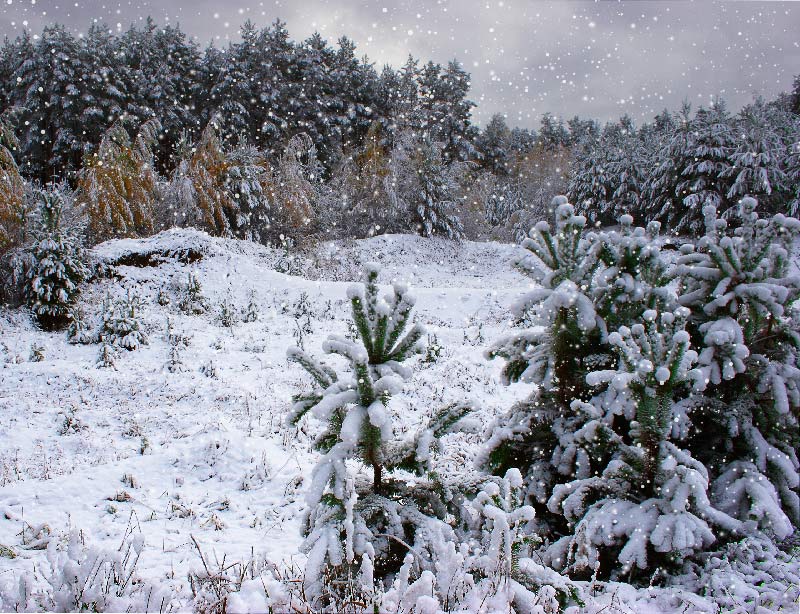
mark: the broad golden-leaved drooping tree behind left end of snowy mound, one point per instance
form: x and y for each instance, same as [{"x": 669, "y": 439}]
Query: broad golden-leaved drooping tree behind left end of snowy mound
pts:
[{"x": 118, "y": 182}]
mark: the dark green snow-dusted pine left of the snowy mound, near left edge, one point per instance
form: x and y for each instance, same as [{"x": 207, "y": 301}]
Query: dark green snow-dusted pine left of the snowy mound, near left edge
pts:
[{"x": 56, "y": 263}]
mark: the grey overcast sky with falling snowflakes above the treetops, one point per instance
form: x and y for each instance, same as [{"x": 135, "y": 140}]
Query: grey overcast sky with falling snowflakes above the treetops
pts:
[{"x": 593, "y": 59}]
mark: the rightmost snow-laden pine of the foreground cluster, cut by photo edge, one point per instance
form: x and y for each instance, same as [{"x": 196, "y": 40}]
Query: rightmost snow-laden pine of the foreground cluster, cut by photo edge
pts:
[{"x": 741, "y": 289}]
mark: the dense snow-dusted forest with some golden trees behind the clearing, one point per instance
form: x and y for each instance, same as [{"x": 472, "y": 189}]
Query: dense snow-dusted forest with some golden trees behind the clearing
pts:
[{"x": 272, "y": 139}]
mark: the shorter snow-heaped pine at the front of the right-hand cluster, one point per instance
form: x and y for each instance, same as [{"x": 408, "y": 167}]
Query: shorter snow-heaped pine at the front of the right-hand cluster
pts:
[{"x": 649, "y": 506}]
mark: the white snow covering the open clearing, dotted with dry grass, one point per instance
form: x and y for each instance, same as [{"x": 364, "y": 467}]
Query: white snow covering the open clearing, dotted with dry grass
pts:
[{"x": 178, "y": 456}]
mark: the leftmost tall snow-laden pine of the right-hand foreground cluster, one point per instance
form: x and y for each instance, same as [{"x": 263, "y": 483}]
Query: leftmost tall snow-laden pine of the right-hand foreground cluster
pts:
[{"x": 591, "y": 281}]
